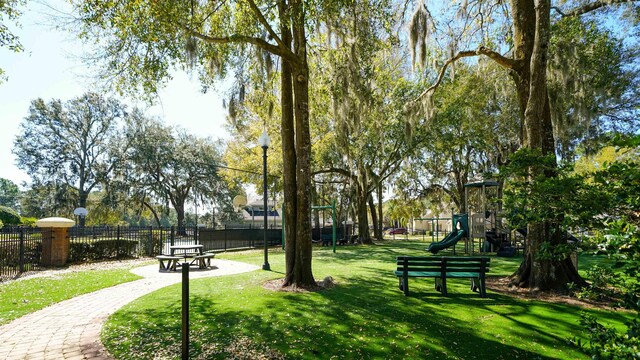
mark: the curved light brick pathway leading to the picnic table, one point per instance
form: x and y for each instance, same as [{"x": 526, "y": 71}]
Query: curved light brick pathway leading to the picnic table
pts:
[{"x": 71, "y": 329}]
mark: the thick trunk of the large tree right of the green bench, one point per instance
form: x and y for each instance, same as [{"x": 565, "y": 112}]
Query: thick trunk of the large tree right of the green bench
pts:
[{"x": 538, "y": 272}]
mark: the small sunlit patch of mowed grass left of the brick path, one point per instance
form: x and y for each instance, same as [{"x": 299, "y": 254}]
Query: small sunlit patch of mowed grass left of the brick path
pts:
[{"x": 20, "y": 297}]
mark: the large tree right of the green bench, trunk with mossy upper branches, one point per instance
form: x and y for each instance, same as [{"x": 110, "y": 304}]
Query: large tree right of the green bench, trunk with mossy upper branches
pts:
[{"x": 523, "y": 28}]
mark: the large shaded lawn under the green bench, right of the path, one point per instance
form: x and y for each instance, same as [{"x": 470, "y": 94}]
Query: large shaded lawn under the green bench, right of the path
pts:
[{"x": 364, "y": 317}]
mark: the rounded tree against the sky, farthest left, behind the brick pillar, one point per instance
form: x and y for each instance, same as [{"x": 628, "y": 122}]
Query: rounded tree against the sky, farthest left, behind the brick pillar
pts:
[{"x": 70, "y": 145}]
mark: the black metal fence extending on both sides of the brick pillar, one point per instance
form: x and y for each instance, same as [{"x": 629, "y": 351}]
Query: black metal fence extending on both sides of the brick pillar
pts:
[{"x": 21, "y": 247}]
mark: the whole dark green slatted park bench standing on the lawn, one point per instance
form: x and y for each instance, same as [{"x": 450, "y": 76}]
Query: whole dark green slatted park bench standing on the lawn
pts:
[{"x": 441, "y": 268}]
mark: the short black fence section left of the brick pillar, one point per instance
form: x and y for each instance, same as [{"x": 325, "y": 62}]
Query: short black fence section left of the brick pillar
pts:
[{"x": 20, "y": 250}]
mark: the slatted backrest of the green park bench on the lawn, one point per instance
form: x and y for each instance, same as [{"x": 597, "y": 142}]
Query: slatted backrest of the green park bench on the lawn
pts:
[{"x": 443, "y": 264}]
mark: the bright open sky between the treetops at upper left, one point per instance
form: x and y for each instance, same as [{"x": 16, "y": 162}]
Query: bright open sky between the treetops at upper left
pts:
[{"x": 50, "y": 68}]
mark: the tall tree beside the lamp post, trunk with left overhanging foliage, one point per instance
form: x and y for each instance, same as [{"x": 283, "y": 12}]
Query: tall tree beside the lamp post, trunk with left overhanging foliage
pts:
[{"x": 139, "y": 42}]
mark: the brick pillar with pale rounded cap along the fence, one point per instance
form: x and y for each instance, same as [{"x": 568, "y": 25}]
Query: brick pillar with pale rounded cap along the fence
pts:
[{"x": 55, "y": 249}]
